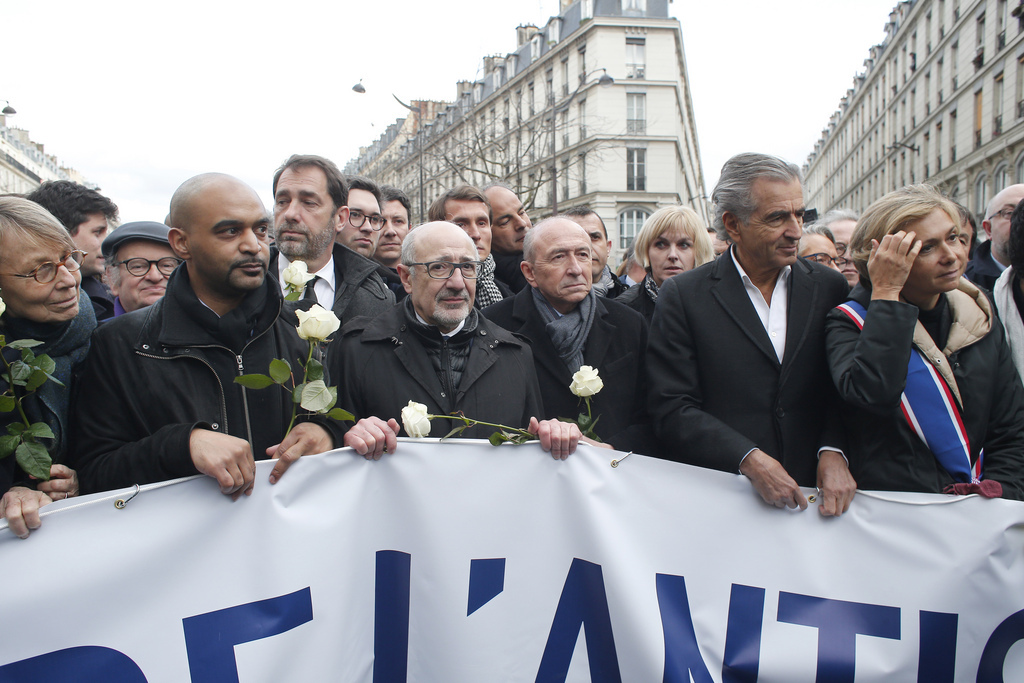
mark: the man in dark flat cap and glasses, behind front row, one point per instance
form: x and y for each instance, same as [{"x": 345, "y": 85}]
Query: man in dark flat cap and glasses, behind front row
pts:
[{"x": 139, "y": 263}]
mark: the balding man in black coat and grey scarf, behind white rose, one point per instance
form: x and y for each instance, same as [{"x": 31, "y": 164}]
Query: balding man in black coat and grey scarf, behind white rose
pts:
[{"x": 570, "y": 326}]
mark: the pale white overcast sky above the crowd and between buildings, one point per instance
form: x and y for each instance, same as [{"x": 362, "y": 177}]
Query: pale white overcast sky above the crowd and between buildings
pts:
[{"x": 140, "y": 97}]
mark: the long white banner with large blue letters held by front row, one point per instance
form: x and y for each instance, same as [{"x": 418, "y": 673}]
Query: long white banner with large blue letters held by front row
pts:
[{"x": 459, "y": 562}]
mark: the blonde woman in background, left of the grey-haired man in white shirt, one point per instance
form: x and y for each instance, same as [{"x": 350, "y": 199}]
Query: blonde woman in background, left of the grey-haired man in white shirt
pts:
[{"x": 674, "y": 240}]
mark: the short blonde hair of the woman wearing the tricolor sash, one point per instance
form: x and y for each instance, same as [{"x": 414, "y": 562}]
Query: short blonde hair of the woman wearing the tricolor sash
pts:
[{"x": 893, "y": 214}]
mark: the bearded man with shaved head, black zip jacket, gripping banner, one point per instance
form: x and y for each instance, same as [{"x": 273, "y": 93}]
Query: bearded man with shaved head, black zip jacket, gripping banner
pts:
[{"x": 157, "y": 400}]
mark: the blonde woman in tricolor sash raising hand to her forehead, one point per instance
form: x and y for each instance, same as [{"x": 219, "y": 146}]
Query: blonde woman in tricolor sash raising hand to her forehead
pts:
[{"x": 933, "y": 400}]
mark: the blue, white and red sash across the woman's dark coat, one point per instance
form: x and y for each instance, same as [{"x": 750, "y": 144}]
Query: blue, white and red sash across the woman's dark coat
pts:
[{"x": 929, "y": 408}]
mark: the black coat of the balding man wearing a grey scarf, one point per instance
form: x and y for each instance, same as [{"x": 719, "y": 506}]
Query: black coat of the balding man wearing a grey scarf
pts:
[{"x": 616, "y": 348}]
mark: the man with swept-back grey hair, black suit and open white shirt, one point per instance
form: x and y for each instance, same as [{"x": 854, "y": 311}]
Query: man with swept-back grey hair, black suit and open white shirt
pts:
[{"x": 737, "y": 363}]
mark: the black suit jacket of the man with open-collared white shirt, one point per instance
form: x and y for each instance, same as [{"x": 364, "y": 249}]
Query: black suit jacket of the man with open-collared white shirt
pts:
[{"x": 717, "y": 389}]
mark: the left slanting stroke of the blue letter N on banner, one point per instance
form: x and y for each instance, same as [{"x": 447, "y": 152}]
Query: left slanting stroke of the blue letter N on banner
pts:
[{"x": 682, "y": 657}]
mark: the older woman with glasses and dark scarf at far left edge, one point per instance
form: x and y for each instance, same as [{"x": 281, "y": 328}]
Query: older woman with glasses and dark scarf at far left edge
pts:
[{"x": 40, "y": 284}]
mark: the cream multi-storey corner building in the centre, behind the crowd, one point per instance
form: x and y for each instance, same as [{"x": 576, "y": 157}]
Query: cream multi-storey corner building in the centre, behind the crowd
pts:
[{"x": 593, "y": 108}]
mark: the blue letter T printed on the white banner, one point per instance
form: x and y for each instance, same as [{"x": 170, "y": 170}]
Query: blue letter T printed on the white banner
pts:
[{"x": 839, "y": 623}]
